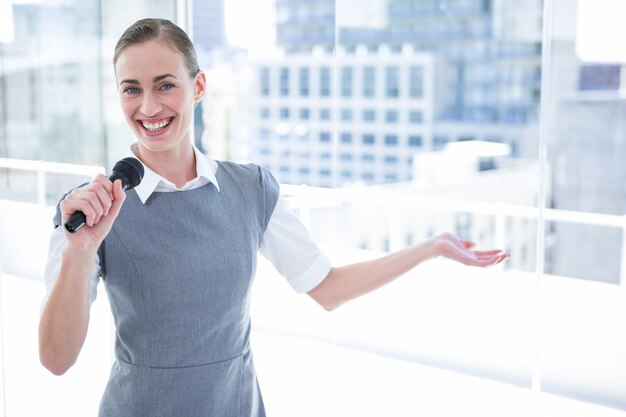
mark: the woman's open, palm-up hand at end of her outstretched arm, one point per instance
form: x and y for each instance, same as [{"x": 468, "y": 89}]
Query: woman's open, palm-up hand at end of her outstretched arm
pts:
[{"x": 449, "y": 246}]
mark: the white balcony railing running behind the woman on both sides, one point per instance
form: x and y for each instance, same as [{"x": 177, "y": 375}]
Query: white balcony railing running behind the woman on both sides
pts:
[{"x": 306, "y": 198}]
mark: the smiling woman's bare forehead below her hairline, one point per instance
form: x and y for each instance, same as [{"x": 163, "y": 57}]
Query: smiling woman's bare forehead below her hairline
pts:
[{"x": 147, "y": 59}]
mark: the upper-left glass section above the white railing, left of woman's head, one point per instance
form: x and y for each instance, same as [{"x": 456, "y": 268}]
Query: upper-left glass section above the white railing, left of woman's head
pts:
[{"x": 50, "y": 77}]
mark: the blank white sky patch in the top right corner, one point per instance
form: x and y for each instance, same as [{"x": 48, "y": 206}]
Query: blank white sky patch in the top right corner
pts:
[{"x": 601, "y": 30}]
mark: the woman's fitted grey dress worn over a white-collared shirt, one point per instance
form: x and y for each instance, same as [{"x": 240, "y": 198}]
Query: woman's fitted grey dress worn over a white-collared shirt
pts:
[{"x": 178, "y": 272}]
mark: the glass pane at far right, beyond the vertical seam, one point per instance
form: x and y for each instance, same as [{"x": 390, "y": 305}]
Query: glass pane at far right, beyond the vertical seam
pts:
[{"x": 583, "y": 302}]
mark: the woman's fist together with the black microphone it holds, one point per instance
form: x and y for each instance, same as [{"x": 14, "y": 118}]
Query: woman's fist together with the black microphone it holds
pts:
[{"x": 98, "y": 201}]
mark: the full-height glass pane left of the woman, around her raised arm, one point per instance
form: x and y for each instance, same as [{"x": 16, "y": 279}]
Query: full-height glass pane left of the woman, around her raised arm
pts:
[{"x": 59, "y": 117}]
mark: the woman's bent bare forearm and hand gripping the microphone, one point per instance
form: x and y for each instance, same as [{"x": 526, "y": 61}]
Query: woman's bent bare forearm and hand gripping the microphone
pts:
[{"x": 65, "y": 317}]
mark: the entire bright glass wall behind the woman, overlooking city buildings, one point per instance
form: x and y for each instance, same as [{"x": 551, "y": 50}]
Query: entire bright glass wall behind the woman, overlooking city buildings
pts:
[{"x": 403, "y": 119}]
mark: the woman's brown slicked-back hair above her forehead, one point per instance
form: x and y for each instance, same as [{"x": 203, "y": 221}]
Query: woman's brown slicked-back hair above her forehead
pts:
[{"x": 164, "y": 31}]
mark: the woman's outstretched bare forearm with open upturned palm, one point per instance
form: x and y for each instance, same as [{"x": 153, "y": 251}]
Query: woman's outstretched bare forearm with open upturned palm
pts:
[{"x": 347, "y": 282}]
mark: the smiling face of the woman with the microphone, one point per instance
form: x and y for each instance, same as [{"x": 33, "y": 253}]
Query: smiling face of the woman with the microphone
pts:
[{"x": 158, "y": 95}]
